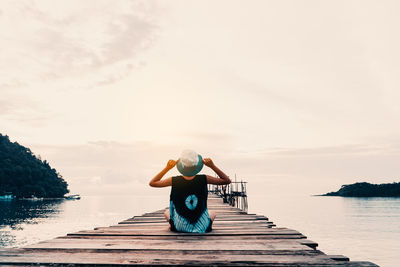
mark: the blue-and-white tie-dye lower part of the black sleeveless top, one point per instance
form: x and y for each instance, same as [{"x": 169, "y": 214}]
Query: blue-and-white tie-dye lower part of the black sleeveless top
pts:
[{"x": 183, "y": 225}]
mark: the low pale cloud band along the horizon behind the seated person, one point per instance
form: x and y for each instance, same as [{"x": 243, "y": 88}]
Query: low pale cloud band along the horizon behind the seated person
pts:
[{"x": 111, "y": 167}]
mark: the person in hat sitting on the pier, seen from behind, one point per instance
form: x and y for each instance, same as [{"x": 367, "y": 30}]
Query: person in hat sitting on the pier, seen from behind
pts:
[{"x": 188, "y": 210}]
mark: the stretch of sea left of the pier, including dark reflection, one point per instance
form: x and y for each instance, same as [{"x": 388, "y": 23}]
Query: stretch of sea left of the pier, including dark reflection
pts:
[{"x": 23, "y": 222}]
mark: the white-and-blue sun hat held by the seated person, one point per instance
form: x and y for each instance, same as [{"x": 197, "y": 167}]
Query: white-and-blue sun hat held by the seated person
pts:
[{"x": 190, "y": 163}]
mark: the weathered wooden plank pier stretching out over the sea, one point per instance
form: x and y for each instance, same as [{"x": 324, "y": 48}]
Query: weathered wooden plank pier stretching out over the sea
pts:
[{"x": 237, "y": 239}]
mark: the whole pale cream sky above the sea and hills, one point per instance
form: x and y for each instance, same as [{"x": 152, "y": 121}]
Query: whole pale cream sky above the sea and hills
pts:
[{"x": 291, "y": 96}]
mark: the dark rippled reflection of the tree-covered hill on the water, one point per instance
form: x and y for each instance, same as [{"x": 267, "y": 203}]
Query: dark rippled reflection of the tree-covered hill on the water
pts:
[{"x": 16, "y": 214}]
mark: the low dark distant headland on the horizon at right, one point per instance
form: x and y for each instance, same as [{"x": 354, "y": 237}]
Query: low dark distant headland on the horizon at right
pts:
[{"x": 367, "y": 190}]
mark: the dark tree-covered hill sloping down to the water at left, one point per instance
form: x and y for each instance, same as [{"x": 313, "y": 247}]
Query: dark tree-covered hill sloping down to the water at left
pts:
[{"x": 24, "y": 175}]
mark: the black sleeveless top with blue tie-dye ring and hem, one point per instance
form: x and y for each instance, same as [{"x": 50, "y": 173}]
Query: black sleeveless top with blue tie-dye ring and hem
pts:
[{"x": 188, "y": 204}]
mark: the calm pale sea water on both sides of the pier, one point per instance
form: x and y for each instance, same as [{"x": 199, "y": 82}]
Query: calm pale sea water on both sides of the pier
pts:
[{"x": 360, "y": 228}]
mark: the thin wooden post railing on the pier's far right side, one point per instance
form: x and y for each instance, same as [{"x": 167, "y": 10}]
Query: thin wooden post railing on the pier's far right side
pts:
[{"x": 234, "y": 193}]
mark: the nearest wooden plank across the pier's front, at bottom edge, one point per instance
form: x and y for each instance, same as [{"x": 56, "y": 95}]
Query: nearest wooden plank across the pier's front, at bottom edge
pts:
[{"x": 154, "y": 257}]
